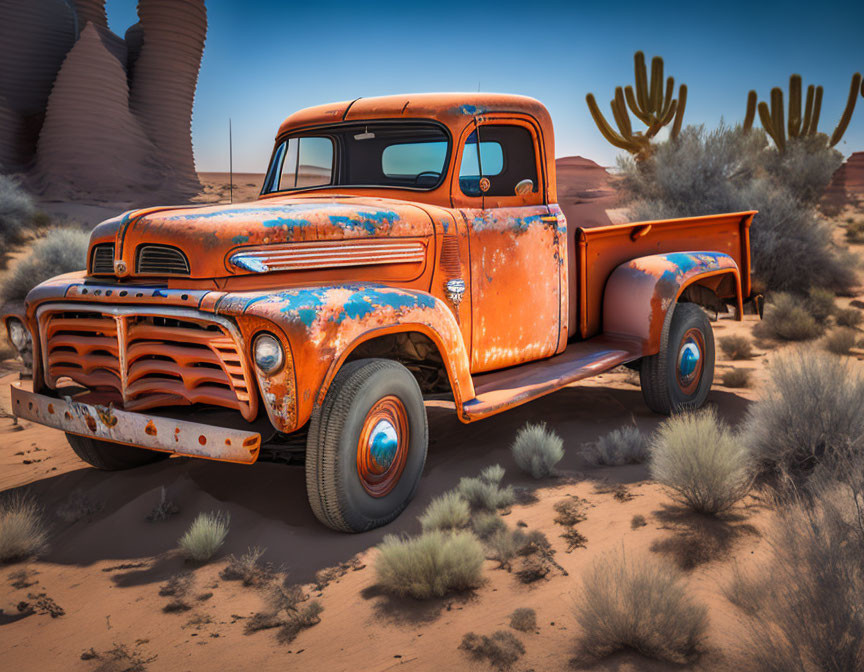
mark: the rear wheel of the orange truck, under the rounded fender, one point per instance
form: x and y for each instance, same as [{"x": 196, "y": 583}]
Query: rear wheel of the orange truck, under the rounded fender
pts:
[{"x": 680, "y": 375}]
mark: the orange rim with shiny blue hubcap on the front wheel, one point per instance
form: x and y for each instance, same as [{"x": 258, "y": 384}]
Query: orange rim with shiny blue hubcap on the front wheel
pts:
[{"x": 382, "y": 448}]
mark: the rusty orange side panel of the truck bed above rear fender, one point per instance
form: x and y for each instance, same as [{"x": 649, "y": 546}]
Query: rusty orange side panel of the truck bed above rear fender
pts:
[{"x": 602, "y": 249}]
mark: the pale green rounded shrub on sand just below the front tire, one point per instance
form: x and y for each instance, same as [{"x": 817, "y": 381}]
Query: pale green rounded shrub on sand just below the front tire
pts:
[{"x": 430, "y": 565}]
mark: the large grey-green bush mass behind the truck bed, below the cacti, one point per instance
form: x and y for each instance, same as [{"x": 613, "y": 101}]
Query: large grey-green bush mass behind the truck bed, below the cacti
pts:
[{"x": 729, "y": 170}]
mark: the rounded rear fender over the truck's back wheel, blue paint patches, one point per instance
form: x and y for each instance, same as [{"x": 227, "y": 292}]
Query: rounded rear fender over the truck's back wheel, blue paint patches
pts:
[{"x": 639, "y": 293}]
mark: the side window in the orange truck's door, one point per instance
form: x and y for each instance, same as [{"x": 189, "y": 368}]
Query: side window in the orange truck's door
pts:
[{"x": 504, "y": 155}]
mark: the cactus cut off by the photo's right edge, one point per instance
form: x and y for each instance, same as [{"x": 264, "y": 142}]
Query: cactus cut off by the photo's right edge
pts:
[{"x": 773, "y": 119}]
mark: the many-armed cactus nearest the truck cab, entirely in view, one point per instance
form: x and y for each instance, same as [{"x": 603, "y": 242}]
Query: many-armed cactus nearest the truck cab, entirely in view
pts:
[{"x": 649, "y": 104}]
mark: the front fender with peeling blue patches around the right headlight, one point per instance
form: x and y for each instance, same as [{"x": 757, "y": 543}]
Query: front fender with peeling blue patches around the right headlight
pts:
[{"x": 323, "y": 324}]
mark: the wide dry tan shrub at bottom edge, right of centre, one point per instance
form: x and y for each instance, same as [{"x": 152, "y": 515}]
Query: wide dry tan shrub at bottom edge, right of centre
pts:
[{"x": 643, "y": 606}]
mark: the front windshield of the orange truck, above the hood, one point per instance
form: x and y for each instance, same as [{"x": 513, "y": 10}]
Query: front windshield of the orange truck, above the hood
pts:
[{"x": 403, "y": 155}]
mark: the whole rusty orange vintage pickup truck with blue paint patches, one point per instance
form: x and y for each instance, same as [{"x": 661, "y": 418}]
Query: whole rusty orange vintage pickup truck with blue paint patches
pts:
[{"x": 402, "y": 248}]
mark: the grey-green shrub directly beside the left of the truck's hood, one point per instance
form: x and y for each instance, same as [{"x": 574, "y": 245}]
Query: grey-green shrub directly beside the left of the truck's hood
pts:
[{"x": 62, "y": 251}]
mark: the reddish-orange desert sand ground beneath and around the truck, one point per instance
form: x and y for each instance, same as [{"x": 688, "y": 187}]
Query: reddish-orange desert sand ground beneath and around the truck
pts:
[{"x": 105, "y": 570}]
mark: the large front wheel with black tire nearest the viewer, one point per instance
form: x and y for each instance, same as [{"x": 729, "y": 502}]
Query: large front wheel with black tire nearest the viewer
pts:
[{"x": 366, "y": 446}]
